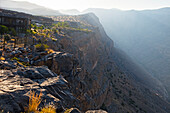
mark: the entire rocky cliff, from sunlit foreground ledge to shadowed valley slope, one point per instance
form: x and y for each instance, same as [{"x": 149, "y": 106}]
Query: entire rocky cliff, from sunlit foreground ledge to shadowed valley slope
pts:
[{"x": 84, "y": 74}]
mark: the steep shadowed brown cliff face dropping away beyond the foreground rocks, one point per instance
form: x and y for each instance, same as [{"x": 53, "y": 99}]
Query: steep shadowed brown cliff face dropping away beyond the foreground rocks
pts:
[{"x": 102, "y": 83}]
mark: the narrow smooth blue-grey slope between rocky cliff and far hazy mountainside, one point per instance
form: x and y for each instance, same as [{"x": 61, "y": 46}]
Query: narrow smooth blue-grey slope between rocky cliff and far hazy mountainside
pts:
[{"x": 137, "y": 73}]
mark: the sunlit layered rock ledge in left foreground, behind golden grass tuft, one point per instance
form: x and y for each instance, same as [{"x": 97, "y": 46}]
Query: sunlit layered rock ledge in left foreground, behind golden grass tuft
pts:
[{"x": 16, "y": 84}]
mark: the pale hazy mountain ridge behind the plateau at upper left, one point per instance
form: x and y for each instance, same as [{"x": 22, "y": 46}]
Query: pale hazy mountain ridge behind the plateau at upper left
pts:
[{"x": 27, "y": 7}]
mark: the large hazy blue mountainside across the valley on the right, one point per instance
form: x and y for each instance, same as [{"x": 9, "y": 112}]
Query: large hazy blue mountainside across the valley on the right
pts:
[{"x": 143, "y": 35}]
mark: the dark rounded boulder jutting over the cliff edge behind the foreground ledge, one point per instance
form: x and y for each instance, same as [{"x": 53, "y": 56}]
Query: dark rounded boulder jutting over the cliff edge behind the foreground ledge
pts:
[{"x": 59, "y": 62}]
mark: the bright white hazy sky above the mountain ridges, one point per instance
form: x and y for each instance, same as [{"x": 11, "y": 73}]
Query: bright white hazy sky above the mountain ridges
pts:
[{"x": 84, "y": 4}]
